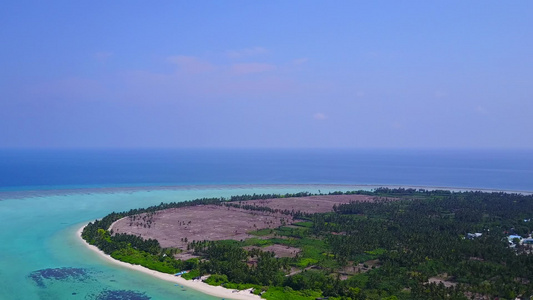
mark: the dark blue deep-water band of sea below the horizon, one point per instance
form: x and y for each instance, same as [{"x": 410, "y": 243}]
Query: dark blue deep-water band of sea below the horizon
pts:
[{"x": 56, "y": 169}]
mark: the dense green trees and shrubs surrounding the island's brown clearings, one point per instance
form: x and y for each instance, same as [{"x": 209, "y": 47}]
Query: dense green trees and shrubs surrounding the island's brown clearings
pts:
[{"x": 386, "y": 249}]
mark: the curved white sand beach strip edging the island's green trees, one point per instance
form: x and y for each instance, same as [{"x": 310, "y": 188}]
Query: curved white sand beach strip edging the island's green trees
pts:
[{"x": 196, "y": 285}]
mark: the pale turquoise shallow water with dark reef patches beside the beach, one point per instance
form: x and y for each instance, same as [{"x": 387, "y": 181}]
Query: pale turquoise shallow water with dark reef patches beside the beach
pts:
[{"x": 42, "y": 258}]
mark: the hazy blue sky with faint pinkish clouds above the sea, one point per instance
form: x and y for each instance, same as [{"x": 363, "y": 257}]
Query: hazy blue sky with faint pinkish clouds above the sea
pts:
[{"x": 267, "y": 74}]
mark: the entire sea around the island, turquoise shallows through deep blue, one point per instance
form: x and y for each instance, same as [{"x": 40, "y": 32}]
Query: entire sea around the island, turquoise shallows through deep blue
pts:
[{"x": 47, "y": 195}]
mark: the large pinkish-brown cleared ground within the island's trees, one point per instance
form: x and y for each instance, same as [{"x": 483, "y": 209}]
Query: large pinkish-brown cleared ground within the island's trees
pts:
[{"x": 177, "y": 226}]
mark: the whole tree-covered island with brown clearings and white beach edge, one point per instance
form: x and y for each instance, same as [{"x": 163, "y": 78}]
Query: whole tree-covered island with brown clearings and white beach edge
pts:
[{"x": 381, "y": 244}]
